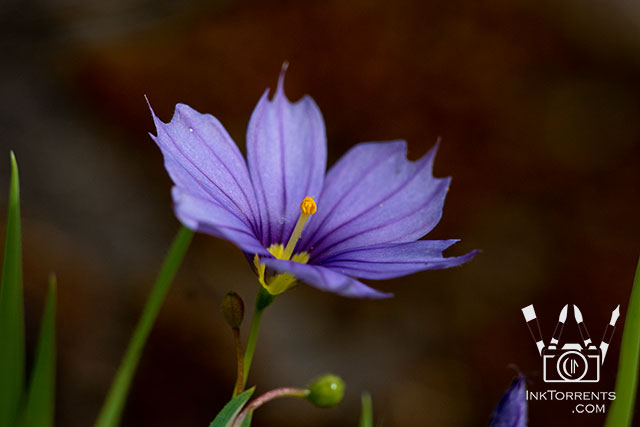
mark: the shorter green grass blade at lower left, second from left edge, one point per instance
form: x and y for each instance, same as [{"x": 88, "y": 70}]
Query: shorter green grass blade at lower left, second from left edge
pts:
[{"x": 39, "y": 410}]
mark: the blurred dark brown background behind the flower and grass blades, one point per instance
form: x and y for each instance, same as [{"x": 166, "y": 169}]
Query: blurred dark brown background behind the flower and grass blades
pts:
[{"x": 537, "y": 104}]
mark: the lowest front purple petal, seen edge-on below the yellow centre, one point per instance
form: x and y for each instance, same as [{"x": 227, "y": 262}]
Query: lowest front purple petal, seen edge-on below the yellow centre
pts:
[{"x": 325, "y": 279}]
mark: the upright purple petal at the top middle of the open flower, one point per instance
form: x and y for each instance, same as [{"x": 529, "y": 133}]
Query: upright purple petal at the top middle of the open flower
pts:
[{"x": 287, "y": 154}]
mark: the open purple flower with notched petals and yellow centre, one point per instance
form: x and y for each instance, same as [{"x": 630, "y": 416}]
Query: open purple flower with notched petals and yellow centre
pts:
[{"x": 372, "y": 206}]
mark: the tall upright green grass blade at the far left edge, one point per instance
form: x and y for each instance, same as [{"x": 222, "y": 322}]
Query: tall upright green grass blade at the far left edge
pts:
[{"x": 11, "y": 310}]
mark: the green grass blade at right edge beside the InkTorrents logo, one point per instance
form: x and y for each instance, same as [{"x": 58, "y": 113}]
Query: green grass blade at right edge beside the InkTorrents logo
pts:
[{"x": 621, "y": 411}]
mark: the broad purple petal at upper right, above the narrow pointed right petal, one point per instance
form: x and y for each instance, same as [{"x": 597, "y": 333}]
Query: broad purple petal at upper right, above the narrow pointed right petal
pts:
[{"x": 374, "y": 195}]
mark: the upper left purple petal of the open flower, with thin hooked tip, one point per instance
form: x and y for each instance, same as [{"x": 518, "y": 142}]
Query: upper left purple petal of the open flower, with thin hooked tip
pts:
[{"x": 203, "y": 160}]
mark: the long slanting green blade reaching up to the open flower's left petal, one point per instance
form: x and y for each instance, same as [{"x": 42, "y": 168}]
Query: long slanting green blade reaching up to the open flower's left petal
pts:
[{"x": 115, "y": 401}]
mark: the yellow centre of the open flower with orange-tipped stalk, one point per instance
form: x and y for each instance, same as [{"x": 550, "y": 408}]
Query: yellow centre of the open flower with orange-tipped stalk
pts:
[{"x": 279, "y": 283}]
